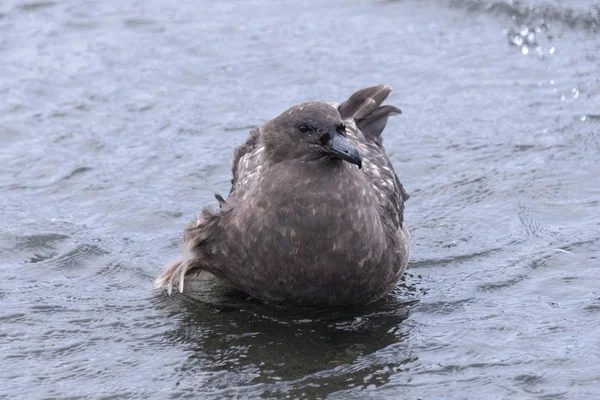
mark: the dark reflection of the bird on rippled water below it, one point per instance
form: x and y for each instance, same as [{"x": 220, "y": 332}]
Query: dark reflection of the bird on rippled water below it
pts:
[{"x": 235, "y": 341}]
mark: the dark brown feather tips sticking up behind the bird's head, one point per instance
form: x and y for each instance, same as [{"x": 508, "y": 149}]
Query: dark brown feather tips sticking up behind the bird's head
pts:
[{"x": 365, "y": 107}]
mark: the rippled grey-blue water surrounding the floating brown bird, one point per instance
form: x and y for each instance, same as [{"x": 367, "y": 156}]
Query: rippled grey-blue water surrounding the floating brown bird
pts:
[{"x": 118, "y": 121}]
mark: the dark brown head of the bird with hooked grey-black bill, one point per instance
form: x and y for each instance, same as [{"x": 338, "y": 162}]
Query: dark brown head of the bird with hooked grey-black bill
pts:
[{"x": 310, "y": 131}]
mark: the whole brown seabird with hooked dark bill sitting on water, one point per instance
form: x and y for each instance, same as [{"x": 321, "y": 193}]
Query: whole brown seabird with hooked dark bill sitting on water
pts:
[{"x": 315, "y": 214}]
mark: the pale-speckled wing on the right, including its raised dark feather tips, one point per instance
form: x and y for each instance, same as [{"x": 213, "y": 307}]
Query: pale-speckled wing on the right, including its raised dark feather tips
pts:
[{"x": 366, "y": 118}]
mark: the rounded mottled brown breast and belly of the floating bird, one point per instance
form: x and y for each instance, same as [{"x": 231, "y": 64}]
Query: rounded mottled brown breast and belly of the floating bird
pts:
[{"x": 316, "y": 238}]
